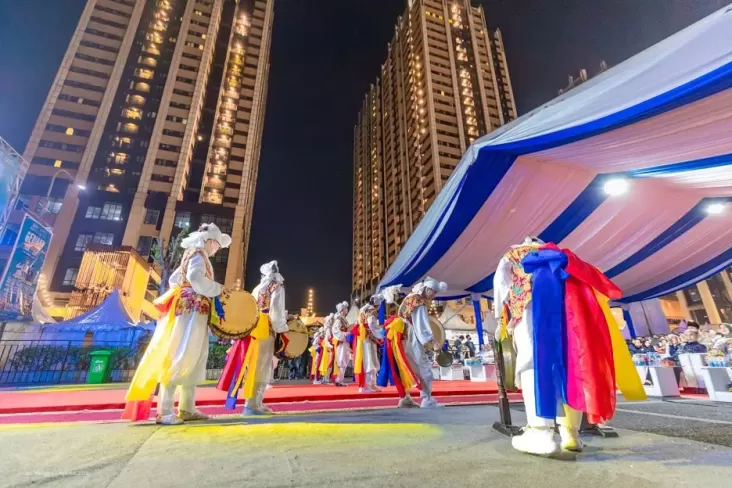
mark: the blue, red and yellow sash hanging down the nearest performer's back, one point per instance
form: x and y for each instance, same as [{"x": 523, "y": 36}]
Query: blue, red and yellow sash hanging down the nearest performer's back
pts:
[{"x": 579, "y": 354}]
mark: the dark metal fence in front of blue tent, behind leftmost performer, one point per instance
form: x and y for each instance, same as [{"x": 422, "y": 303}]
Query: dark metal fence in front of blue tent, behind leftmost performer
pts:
[{"x": 27, "y": 362}]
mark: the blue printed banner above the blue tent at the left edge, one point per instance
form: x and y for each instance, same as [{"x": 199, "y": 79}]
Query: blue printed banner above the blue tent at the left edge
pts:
[{"x": 20, "y": 278}]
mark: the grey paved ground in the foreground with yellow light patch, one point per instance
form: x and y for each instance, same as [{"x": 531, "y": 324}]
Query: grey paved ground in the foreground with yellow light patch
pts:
[{"x": 396, "y": 448}]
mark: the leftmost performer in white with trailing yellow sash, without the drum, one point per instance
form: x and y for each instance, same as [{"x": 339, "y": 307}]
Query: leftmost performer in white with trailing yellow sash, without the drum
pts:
[{"x": 178, "y": 351}]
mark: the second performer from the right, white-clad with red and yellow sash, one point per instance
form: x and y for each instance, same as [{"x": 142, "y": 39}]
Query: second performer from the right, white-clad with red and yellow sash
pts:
[{"x": 408, "y": 335}]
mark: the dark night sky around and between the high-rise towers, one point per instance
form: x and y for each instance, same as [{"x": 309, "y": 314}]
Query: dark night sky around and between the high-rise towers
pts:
[{"x": 325, "y": 53}]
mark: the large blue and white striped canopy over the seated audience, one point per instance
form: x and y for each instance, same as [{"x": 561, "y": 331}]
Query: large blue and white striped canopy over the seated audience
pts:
[{"x": 661, "y": 120}]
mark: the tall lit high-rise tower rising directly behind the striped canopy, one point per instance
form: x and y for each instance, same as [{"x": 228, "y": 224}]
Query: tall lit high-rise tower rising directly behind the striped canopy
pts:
[{"x": 444, "y": 83}]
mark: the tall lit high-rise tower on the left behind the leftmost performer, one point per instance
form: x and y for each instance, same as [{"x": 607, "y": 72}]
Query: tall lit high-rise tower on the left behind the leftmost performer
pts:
[{"x": 153, "y": 124}]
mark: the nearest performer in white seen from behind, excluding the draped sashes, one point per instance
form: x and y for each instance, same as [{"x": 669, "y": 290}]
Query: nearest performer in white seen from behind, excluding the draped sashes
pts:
[{"x": 512, "y": 309}]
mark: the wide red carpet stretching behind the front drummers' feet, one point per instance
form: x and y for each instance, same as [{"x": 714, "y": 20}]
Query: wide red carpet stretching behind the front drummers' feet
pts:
[{"x": 69, "y": 400}]
